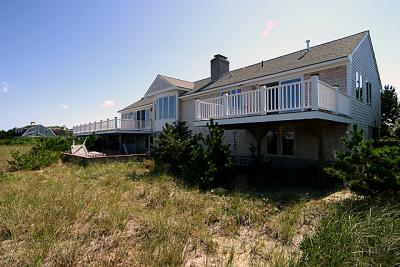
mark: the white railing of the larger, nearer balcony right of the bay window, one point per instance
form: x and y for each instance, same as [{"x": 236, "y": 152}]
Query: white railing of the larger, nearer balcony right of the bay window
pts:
[{"x": 311, "y": 94}]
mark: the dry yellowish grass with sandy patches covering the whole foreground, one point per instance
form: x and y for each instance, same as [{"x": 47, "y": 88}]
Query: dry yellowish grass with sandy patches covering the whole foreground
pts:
[{"x": 125, "y": 214}]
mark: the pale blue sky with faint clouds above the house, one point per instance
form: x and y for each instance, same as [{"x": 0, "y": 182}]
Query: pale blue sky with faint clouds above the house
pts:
[{"x": 70, "y": 62}]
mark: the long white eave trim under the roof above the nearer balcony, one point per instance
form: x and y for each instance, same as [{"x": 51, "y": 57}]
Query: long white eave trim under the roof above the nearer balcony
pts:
[{"x": 299, "y": 71}]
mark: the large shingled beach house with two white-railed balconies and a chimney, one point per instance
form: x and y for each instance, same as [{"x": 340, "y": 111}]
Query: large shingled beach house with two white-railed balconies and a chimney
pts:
[{"x": 294, "y": 107}]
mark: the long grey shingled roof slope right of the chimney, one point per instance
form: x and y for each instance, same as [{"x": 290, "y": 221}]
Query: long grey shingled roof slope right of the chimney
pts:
[{"x": 332, "y": 50}]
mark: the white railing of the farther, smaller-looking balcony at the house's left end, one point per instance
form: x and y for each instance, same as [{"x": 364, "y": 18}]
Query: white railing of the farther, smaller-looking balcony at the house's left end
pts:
[{"x": 111, "y": 125}]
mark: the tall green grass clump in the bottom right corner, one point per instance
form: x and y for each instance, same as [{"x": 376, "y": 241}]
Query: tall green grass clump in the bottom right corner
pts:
[{"x": 356, "y": 233}]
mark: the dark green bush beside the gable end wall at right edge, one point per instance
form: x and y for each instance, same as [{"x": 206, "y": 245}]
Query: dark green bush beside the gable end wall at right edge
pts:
[{"x": 366, "y": 169}]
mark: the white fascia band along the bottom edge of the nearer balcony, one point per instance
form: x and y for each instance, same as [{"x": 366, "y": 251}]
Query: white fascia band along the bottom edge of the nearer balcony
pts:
[{"x": 305, "y": 115}]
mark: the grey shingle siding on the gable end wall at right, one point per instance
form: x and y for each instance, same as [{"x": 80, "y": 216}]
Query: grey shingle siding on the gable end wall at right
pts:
[{"x": 363, "y": 62}]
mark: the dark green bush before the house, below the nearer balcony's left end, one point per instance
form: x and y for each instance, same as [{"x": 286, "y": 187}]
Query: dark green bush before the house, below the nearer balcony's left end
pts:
[{"x": 198, "y": 161}]
